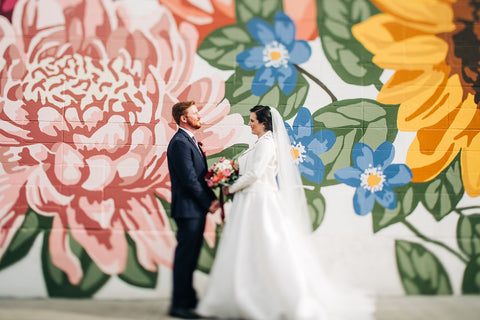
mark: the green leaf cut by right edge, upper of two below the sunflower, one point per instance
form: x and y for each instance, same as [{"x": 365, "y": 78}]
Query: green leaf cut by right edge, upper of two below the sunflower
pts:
[{"x": 468, "y": 234}]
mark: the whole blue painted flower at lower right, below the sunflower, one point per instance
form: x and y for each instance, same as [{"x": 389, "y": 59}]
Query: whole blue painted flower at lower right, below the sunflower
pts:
[{"x": 374, "y": 177}]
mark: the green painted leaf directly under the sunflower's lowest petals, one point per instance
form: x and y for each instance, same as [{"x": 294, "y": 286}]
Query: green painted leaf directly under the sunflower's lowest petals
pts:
[{"x": 442, "y": 194}]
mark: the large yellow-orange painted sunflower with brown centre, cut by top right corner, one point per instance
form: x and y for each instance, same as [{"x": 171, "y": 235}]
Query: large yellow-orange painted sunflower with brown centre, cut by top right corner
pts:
[{"x": 434, "y": 48}]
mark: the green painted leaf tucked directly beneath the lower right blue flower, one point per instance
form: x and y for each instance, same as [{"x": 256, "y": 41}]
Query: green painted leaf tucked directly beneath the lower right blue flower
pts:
[{"x": 407, "y": 201}]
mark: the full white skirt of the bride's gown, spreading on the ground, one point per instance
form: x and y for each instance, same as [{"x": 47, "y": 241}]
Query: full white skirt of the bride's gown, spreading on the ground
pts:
[{"x": 264, "y": 269}]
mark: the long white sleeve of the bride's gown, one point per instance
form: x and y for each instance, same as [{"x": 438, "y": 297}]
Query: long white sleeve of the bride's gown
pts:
[{"x": 263, "y": 153}]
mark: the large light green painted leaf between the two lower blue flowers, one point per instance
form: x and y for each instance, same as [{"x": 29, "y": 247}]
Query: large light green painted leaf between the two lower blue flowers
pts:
[{"x": 352, "y": 121}]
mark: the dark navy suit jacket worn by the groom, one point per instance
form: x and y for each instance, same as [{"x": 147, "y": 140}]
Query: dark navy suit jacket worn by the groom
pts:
[{"x": 191, "y": 196}]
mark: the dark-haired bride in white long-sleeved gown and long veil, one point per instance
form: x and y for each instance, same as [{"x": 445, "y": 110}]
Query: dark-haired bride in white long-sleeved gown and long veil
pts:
[{"x": 265, "y": 267}]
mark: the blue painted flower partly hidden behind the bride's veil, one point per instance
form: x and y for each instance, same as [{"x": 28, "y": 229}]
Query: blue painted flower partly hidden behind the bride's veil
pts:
[{"x": 306, "y": 146}]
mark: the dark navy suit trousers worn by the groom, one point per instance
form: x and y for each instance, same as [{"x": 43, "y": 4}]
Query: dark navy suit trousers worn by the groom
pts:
[{"x": 189, "y": 243}]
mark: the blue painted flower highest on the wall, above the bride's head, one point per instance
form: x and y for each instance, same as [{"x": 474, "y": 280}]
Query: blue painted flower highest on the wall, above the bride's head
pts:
[{"x": 277, "y": 55}]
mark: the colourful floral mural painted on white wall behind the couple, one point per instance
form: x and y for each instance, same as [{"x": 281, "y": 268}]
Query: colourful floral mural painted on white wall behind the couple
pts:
[{"x": 380, "y": 98}]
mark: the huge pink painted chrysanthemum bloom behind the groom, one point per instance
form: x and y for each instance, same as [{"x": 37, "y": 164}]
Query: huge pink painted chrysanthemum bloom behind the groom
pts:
[{"x": 85, "y": 119}]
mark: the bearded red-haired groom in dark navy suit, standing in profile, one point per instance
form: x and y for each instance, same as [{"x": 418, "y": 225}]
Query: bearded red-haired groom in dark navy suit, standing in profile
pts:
[{"x": 191, "y": 200}]
